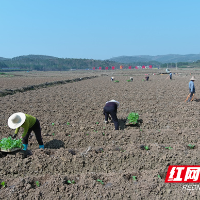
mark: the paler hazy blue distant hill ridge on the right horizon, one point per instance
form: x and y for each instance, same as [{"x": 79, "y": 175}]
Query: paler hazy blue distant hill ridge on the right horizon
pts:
[{"x": 170, "y": 58}]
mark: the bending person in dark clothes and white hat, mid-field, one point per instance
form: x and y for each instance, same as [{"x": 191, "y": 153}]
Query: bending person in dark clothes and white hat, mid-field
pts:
[{"x": 111, "y": 109}]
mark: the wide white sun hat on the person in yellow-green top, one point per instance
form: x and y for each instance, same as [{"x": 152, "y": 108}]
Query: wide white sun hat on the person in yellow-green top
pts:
[{"x": 16, "y": 120}]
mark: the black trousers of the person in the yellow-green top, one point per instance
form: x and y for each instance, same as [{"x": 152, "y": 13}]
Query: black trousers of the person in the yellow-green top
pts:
[{"x": 37, "y": 130}]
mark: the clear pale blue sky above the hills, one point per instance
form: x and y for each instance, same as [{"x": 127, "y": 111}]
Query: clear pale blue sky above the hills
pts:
[{"x": 99, "y": 29}]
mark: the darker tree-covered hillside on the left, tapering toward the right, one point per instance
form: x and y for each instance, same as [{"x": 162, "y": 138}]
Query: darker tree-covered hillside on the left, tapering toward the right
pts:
[{"x": 50, "y": 63}]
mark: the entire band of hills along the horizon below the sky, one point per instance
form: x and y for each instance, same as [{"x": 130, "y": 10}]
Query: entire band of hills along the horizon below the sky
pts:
[{"x": 50, "y": 63}]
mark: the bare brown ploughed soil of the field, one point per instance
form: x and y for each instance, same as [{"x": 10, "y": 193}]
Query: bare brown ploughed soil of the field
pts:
[{"x": 99, "y": 161}]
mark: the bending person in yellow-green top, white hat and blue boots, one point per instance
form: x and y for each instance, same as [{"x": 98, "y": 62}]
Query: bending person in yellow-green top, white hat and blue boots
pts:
[{"x": 29, "y": 123}]
